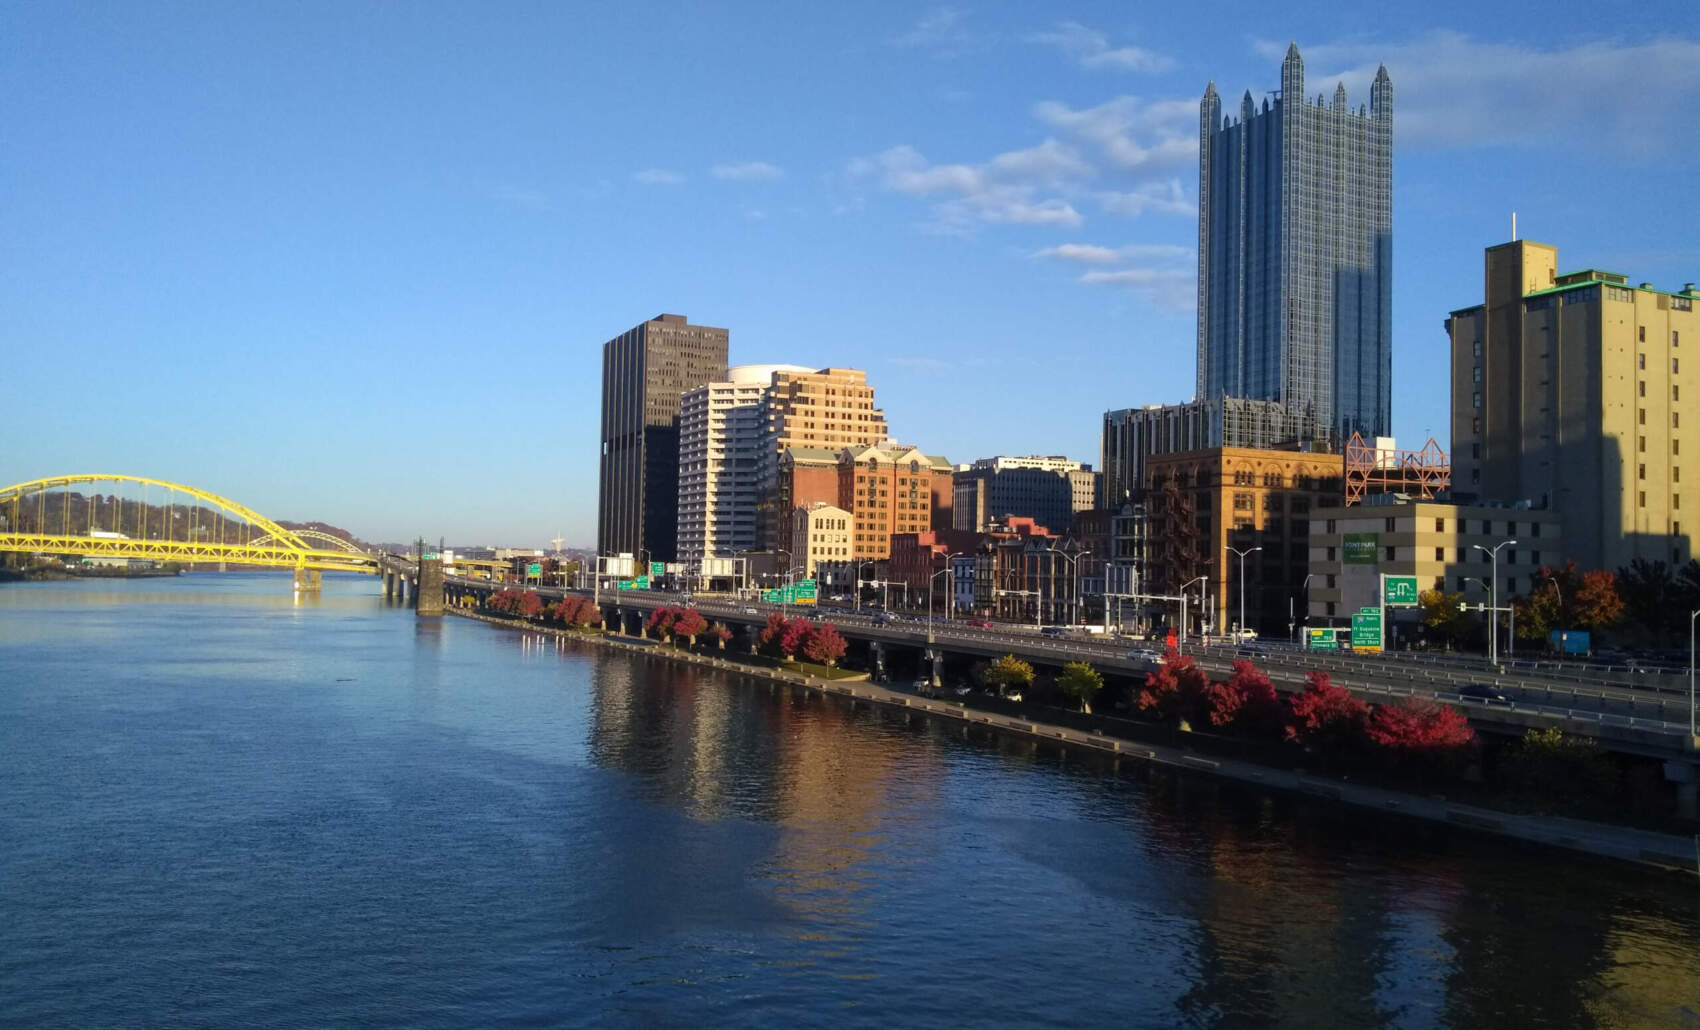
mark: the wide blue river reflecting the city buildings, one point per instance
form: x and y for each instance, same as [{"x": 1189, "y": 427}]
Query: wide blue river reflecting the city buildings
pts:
[{"x": 225, "y": 805}]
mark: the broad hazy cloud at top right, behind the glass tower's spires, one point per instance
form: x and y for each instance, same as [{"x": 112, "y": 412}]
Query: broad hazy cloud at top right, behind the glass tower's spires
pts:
[{"x": 1453, "y": 91}]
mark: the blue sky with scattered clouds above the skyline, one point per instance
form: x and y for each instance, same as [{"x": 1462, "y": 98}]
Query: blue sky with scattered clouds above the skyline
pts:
[{"x": 356, "y": 261}]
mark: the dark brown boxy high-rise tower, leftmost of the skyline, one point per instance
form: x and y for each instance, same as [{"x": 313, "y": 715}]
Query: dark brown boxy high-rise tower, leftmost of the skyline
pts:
[{"x": 643, "y": 375}]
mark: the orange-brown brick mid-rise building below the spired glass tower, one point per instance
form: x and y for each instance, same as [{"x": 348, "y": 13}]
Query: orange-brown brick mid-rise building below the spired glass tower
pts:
[{"x": 1203, "y": 502}]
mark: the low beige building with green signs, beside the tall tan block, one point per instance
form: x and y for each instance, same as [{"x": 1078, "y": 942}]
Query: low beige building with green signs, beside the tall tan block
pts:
[{"x": 1437, "y": 543}]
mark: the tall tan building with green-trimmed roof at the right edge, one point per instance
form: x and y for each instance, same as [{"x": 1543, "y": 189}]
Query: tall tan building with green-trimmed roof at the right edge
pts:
[{"x": 1568, "y": 393}]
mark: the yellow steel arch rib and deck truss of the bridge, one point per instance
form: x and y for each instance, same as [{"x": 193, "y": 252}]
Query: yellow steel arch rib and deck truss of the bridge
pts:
[{"x": 276, "y": 548}]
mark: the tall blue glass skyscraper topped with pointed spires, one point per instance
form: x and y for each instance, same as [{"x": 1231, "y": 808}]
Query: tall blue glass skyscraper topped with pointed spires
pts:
[{"x": 1296, "y": 254}]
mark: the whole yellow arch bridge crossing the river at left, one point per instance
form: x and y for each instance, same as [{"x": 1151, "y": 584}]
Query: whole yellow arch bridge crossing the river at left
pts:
[{"x": 108, "y": 518}]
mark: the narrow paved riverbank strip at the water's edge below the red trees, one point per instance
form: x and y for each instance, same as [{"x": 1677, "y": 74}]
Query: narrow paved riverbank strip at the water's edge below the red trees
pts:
[{"x": 1658, "y": 851}]
